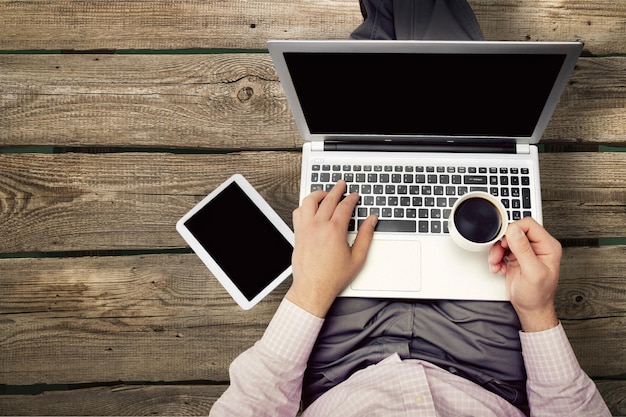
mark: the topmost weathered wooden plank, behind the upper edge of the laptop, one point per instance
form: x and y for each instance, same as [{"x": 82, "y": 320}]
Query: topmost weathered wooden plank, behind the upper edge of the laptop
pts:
[{"x": 71, "y": 24}]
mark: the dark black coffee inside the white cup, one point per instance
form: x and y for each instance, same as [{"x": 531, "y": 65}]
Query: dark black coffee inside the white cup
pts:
[{"x": 477, "y": 220}]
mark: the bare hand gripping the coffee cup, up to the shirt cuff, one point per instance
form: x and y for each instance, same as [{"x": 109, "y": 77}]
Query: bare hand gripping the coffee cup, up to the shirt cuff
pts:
[{"x": 530, "y": 258}]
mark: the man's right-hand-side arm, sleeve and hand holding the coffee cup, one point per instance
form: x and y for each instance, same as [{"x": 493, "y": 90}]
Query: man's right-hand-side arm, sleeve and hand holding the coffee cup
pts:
[{"x": 557, "y": 386}]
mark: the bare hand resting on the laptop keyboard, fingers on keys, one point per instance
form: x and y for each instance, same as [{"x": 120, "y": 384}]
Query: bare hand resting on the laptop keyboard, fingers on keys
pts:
[{"x": 323, "y": 261}]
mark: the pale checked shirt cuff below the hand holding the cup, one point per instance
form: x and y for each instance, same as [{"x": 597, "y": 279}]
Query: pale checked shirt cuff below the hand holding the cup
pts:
[{"x": 548, "y": 356}]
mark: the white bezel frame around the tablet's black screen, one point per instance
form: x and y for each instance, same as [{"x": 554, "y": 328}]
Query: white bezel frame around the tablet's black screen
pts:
[{"x": 209, "y": 261}]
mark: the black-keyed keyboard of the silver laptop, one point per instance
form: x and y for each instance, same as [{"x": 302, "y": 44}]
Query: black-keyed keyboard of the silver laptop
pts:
[{"x": 419, "y": 199}]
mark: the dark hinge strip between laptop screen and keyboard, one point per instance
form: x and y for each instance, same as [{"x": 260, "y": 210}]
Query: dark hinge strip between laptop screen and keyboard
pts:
[{"x": 422, "y": 146}]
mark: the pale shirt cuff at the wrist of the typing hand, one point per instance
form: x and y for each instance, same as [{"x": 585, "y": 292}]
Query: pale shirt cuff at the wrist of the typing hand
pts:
[{"x": 292, "y": 332}]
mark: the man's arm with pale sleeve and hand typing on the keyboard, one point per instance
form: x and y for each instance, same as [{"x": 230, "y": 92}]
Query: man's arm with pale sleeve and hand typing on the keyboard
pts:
[{"x": 266, "y": 380}]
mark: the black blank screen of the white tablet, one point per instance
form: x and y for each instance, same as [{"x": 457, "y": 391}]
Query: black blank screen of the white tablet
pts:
[{"x": 241, "y": 240}]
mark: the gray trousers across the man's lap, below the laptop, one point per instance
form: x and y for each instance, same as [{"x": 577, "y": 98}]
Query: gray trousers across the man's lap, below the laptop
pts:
[{"x": 477, "y": 340}]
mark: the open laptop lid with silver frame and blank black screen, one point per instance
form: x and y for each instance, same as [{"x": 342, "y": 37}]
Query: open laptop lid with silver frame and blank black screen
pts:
[{"x": 424, "y": 91}]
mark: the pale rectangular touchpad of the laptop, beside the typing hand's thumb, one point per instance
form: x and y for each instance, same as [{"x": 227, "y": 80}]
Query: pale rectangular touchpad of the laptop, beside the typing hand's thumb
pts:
[{"x": 391, "y": 265}]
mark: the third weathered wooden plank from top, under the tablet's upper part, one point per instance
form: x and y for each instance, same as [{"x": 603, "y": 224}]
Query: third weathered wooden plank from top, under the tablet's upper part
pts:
[{"x": 81, "y": 202}]
